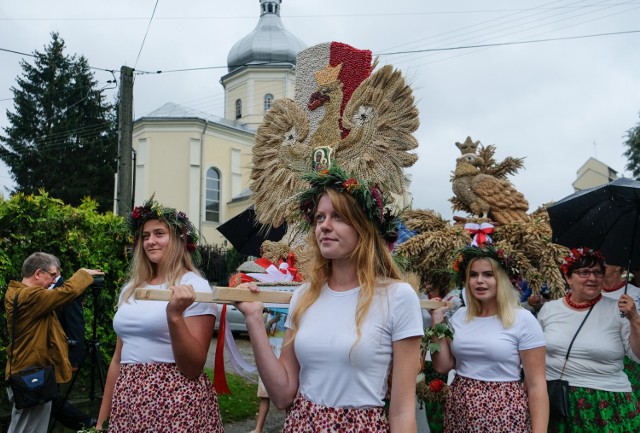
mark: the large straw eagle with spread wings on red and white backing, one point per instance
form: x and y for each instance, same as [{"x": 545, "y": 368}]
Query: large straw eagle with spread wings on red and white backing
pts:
[{"x": 345, "y": 112}]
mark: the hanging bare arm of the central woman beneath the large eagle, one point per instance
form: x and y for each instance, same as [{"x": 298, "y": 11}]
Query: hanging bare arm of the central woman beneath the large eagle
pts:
[{"x": 406, "y": 366}]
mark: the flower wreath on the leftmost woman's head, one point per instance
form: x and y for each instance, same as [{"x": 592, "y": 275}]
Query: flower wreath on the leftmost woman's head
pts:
[{"x": 184, "y": 228}]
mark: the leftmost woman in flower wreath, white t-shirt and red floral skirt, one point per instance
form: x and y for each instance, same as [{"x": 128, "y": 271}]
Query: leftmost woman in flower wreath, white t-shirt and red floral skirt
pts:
[{"x": 155, "y": 380}]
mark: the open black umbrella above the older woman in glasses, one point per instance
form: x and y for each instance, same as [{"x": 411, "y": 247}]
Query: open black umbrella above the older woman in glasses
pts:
[{"x": 606, "y": 218}]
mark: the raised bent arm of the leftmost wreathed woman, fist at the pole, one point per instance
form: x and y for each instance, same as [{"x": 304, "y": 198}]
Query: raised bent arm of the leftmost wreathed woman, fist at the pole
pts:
[{"x": 190, "y": 336}]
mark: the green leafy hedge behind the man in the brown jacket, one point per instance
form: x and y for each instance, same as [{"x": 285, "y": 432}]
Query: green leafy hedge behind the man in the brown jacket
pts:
[{"x": 80, "y": 237}]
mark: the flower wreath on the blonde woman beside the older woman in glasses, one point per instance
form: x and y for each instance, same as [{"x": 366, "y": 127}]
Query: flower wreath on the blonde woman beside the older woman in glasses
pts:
[{"x": 506, "y": 260}]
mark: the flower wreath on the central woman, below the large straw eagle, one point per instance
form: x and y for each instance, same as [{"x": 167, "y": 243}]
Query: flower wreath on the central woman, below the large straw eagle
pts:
[{"x": 369, "y": 196}]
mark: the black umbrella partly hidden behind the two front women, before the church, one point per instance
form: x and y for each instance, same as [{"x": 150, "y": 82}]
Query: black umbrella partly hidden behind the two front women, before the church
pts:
[{"x": 246, "y": 234}]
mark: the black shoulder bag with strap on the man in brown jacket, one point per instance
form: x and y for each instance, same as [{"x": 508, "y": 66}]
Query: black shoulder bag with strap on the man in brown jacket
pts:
[{"x": 34, "y": 385}]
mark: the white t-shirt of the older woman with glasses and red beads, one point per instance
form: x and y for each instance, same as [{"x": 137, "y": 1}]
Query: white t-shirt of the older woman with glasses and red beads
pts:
[{"x": 596, "y": 356}]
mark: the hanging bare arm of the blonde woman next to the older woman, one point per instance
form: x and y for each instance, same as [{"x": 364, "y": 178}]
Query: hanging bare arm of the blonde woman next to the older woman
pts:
[{"x": 533, "y": 363}]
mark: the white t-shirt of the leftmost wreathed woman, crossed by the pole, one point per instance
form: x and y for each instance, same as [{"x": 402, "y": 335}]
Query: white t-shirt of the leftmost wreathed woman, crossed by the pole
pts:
[{"x": 142, "y": 325}]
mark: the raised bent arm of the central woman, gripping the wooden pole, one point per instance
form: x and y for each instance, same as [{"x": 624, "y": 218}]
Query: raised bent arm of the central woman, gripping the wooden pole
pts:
[{"x": 280, "y": 376}]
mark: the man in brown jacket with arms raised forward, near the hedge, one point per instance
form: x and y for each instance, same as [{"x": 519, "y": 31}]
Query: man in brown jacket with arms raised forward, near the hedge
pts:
[{"x": 37, "y": 338}]
